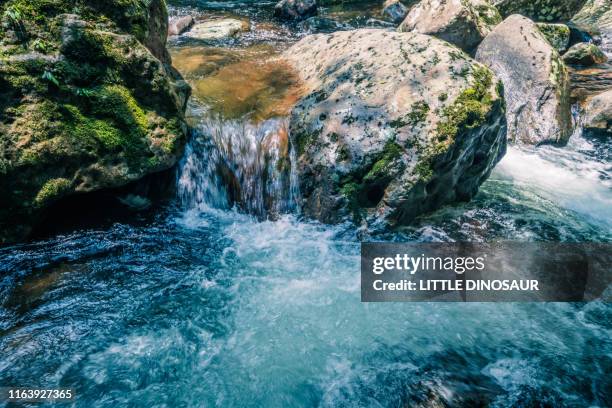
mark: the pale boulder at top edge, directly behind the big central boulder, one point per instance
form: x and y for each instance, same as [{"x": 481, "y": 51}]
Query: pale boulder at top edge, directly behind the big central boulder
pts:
[{"x": 464, "y": 23}]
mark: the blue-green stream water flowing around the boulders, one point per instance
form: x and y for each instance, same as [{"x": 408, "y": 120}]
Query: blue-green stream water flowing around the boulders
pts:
[{"x": 226, "y": 297}]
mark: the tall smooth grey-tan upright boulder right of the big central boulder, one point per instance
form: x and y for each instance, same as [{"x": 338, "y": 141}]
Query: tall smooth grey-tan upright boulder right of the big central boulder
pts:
[{"x": 535, "y": 79}]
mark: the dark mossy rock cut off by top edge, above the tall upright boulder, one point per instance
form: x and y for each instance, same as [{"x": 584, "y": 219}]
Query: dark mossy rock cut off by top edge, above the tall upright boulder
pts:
[{"x": 540, "y": 10}]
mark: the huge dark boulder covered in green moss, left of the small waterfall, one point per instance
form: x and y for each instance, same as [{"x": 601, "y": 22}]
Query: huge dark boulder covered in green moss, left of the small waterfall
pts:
[{"x": 89, "y": 101}]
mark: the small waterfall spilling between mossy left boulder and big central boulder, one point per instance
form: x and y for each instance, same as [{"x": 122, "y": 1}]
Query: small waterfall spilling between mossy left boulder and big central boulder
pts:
[{"x": 241, "y": 164}]
